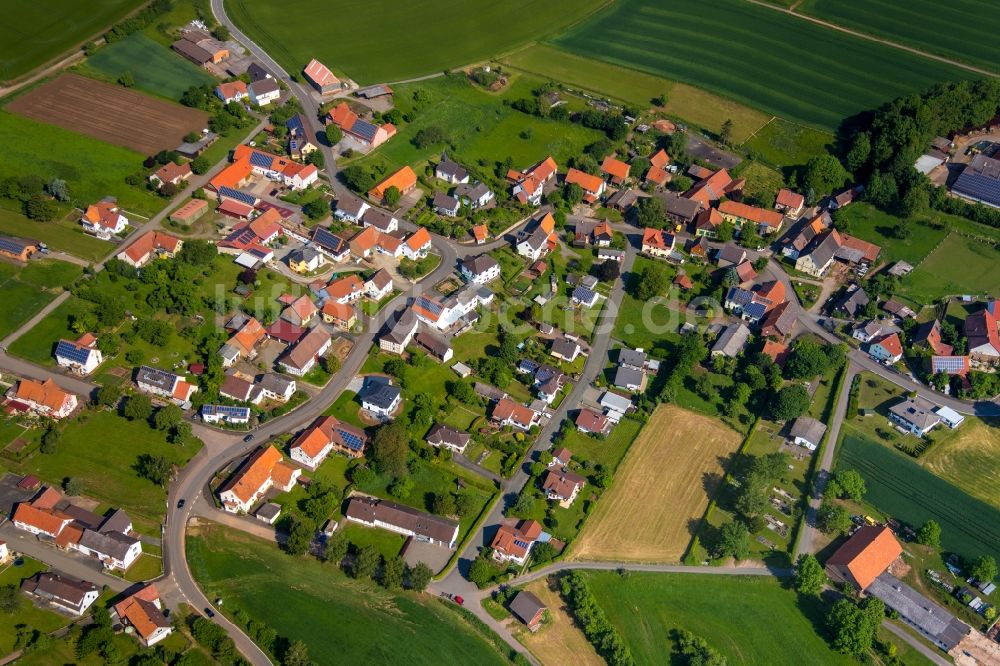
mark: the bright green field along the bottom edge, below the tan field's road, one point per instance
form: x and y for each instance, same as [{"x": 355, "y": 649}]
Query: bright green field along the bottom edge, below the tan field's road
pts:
[{"x": 773, "y": 625}]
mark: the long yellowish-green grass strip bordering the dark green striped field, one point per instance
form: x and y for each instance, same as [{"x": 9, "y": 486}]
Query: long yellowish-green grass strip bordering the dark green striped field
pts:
[{"x": 691, "y": 104}]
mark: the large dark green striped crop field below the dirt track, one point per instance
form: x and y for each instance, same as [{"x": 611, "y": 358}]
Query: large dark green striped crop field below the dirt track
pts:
[{"x": 743, "y": 51}]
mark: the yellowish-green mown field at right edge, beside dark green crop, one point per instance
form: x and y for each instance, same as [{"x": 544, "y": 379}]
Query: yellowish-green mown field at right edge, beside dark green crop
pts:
[{"x": 968, "y": 458}]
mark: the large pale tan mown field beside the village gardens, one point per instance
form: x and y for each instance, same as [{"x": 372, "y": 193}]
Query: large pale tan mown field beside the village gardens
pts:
[{"x": 660, "y": 491}]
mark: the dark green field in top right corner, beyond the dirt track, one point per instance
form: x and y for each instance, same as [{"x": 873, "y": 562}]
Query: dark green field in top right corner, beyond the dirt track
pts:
[{"x": 960, "y": 29}]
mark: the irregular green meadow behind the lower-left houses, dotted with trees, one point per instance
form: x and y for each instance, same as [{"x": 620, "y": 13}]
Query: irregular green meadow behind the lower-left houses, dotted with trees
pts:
[{"x": 100, "y": 449}]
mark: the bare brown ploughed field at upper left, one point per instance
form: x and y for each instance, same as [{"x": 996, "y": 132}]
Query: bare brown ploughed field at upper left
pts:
[{"x": 110, "y": 113}]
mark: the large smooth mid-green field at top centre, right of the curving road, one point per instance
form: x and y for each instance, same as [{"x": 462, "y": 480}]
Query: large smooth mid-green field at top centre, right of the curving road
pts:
[{"x": 404, "y": 39}]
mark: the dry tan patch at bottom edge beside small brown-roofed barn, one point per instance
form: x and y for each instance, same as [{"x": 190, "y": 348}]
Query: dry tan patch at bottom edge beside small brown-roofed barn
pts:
[{"x": 560, "y": 642}]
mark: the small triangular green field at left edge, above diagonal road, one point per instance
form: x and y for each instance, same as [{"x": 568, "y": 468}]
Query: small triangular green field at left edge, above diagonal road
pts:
[{"x": 27, "y": 290}]
